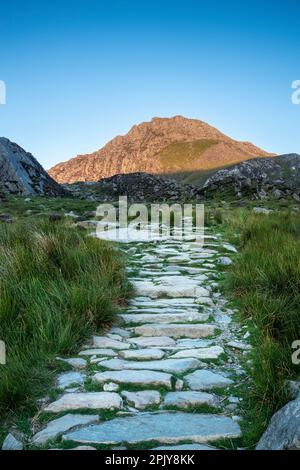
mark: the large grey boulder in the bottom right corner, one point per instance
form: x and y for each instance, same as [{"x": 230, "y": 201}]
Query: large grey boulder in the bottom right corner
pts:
[{"x": 283, "y": 432}]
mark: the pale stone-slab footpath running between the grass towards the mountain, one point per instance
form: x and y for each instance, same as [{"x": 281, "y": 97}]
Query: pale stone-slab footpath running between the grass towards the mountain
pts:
[{"x": 168, "y": 375}]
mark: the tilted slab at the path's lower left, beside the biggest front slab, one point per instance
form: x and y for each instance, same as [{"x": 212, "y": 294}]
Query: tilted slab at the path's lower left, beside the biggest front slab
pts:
[{"x": 57, "y": 427}]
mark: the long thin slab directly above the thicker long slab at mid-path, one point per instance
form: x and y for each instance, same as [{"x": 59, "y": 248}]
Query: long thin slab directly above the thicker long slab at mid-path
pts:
[{"x": 164, "y": 317}]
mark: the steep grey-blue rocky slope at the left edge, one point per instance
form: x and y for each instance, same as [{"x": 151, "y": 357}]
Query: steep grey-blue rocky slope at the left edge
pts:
[{"x": 21, "y": 173}]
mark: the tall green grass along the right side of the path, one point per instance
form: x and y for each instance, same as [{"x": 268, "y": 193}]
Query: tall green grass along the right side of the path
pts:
[{"x": 265, "y": 279}]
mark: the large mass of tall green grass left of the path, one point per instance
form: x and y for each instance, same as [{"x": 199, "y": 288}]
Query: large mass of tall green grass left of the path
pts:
[{"x": 57, "y": 286}]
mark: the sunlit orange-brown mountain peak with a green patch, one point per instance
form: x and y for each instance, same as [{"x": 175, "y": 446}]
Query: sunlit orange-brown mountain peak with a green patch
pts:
[{"x": 174, "y": 145}]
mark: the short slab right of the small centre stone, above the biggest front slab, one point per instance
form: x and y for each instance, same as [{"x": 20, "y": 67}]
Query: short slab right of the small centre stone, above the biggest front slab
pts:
[{"x": 187, "y": 399}]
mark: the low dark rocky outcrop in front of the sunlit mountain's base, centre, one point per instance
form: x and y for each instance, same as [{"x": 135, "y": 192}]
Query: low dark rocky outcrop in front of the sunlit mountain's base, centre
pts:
[{"x": 137, "y": 187}]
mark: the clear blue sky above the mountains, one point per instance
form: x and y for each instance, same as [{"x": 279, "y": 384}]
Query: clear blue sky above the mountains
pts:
[{"x": 79, "y": 73}]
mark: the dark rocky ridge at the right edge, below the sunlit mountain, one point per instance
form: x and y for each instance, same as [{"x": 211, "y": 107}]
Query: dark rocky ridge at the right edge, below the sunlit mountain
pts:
[{"x": 260, "y": 178}]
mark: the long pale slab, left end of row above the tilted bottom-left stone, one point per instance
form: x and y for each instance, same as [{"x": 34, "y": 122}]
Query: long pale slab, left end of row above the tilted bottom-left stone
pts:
[{"x": 88, "y": 400}]
